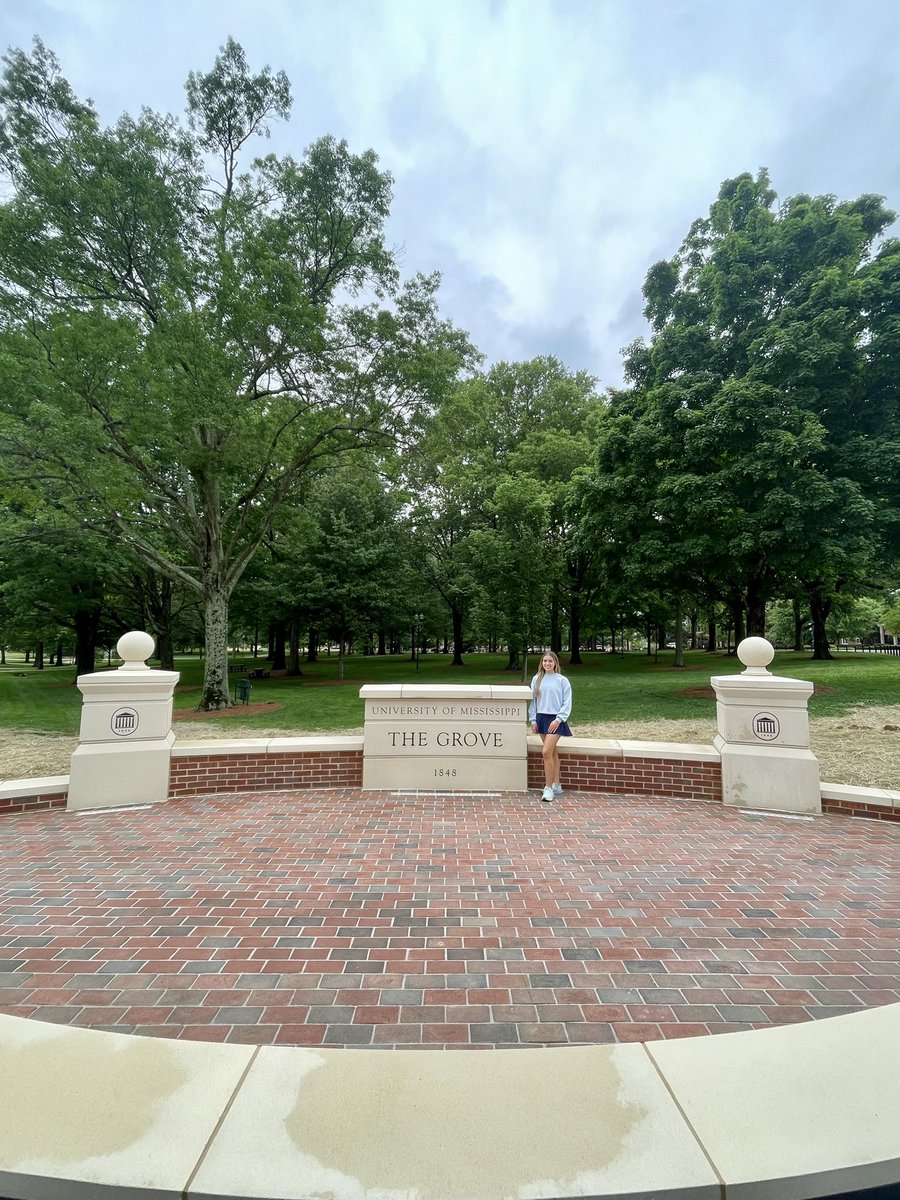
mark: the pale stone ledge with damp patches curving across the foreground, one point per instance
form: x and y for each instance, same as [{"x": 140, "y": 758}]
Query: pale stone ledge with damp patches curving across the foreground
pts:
[{"x": 784, "y": 1114}]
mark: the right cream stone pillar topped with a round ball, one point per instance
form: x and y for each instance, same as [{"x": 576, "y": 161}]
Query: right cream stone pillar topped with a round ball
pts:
[{"x": 764, "y": 736}]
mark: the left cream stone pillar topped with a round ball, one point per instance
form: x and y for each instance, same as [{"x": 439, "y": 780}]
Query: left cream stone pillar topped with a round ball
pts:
[{"x": 127, "y": 735}]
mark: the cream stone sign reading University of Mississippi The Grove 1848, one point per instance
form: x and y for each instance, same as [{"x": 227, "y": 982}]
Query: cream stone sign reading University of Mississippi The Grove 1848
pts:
[{"x": 455, "y": 739}]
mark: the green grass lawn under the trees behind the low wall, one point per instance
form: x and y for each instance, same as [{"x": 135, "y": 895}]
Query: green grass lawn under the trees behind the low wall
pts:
[{"x": 608, "y": 688}]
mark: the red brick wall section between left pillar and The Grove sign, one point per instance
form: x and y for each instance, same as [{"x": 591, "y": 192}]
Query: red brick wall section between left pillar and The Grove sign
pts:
[{"x": 201, "y": 775}]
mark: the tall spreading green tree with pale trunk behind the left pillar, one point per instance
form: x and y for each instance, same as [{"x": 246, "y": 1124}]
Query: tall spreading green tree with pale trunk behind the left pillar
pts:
[{"x": 184, "y": 340}]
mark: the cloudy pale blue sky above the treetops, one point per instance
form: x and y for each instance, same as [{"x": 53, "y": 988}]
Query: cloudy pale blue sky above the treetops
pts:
[{"x": 545, "y": 153}]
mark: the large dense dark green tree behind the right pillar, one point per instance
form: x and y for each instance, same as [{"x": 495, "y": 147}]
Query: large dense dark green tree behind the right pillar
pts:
[{"x": 735, "y": 465}]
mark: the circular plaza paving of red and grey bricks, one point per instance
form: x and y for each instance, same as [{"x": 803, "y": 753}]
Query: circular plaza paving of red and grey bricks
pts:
[{"x": 388, "y": 920}]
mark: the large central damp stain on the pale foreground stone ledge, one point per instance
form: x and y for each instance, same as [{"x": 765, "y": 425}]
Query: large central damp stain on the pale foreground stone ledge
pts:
[{"x": 383, "y": 1123}]
